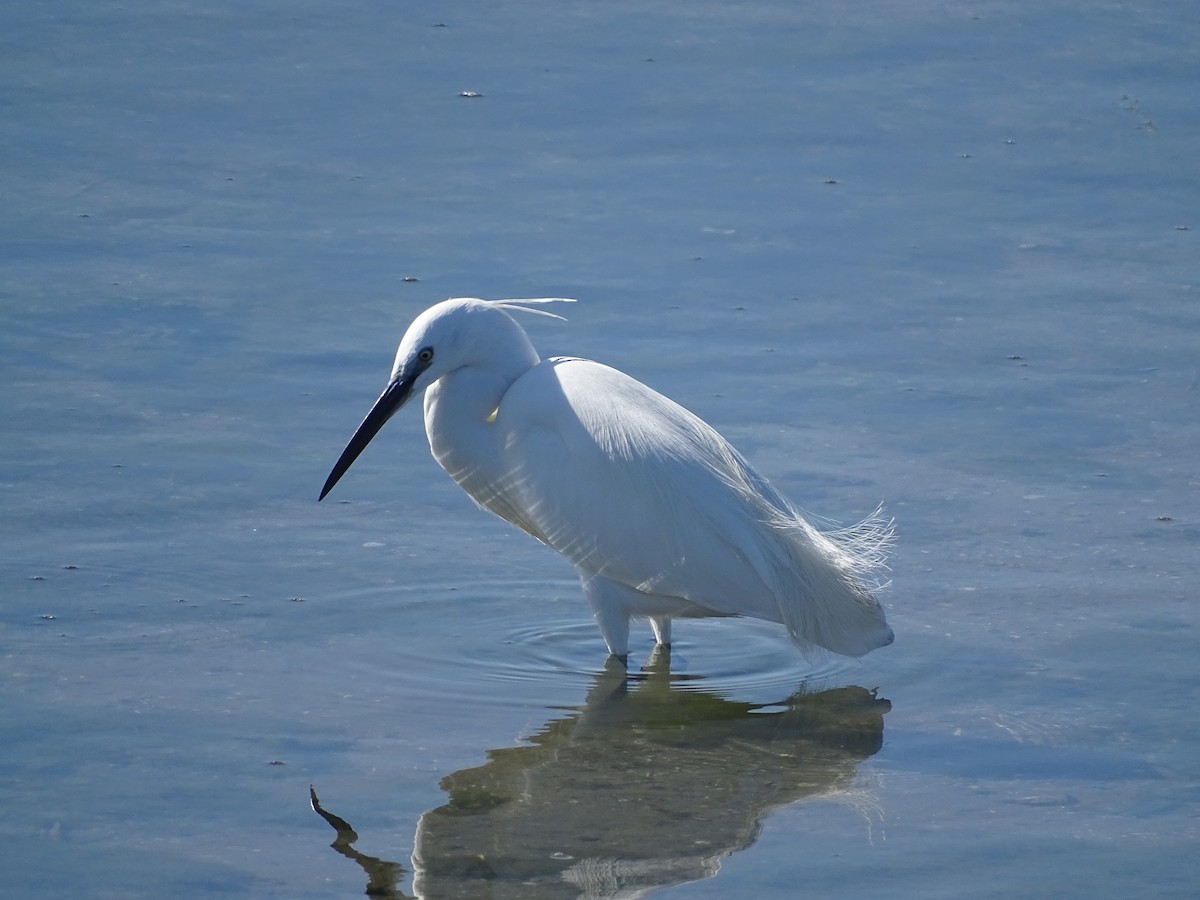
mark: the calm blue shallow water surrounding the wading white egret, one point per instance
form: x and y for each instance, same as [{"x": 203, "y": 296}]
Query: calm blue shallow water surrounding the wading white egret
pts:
[{"x": 933, "y": 257}]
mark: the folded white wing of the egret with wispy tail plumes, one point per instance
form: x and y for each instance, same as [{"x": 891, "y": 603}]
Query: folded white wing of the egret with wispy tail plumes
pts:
[{"x": 629, "y": 485}]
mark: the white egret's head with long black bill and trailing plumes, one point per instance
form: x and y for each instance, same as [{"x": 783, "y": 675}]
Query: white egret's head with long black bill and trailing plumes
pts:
[{"x": 446, "y": 338}]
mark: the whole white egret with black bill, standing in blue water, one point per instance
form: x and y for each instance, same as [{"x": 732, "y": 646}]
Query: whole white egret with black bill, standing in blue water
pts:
[{"x": 659, "y": 515}]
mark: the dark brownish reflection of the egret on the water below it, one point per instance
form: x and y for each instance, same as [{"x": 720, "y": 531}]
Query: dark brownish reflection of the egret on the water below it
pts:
[{"x": 647, "y": 785}]
